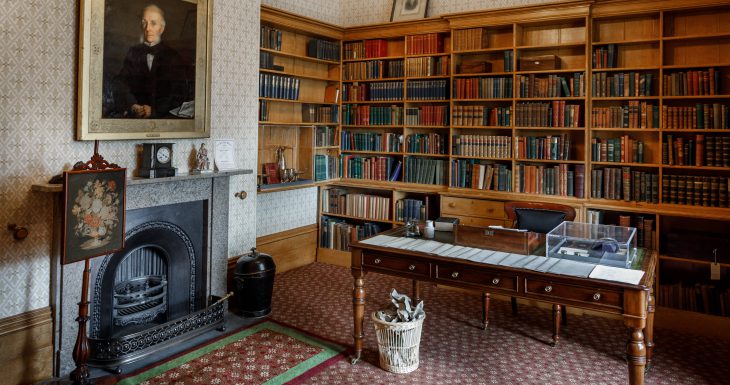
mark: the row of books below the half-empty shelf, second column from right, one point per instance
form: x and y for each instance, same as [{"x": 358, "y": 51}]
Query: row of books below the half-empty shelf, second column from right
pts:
[{"x": 627, "y": 84}]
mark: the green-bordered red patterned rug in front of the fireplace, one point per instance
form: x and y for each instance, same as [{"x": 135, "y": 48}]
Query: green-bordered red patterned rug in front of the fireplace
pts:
[{"x": 267, "y": 353}]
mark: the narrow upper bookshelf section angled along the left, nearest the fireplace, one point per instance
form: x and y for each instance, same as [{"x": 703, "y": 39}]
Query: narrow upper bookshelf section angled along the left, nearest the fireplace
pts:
[{"x": 299, "y": 83}]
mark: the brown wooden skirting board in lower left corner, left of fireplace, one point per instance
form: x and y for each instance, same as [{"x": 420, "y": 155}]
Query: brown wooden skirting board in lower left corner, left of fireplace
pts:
[{"x": 26, "y": 356}]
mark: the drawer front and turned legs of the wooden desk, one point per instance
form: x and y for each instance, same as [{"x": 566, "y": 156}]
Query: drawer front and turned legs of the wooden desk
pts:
[{"x": 634, "y": 302}]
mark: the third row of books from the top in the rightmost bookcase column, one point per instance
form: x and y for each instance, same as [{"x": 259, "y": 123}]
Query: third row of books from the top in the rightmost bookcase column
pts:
[{"x": 711, "y": 151}]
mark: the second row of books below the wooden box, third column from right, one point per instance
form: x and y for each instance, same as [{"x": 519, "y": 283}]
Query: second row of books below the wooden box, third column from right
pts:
[{"x": 552, "y": 114}]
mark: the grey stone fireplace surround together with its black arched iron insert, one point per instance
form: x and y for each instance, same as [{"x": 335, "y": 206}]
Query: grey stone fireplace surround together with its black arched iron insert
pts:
[{"x": 163, "y": 287}]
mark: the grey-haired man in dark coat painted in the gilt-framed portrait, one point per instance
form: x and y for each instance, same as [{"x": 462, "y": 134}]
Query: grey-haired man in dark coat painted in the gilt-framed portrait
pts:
[{"x": 154, "y": 80}]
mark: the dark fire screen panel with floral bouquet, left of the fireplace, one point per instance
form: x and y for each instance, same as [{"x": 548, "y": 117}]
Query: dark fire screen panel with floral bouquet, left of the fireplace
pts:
[{"x": 93, "y": 213}]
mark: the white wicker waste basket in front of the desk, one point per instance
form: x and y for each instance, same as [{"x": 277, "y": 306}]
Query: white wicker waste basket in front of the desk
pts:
[{"x": 398, "y": 344}]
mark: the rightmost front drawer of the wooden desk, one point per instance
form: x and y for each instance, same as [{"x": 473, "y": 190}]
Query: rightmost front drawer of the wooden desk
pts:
[{"x": 586, "y": 294}]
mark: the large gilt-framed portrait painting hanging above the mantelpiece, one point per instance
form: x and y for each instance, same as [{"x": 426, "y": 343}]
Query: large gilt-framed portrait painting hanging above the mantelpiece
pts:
[{"x": 144, "y": 69}]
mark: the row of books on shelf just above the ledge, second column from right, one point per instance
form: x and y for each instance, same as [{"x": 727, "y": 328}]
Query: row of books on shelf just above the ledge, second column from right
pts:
[{"x": 623, "y": 183}]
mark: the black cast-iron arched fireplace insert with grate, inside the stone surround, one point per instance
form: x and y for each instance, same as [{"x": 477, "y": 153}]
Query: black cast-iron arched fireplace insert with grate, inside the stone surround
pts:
[{"x": 158, "y": 277}]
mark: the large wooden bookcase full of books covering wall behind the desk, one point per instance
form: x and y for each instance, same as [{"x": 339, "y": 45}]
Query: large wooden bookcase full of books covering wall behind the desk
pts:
[{"x": 618, "y": 74}]
